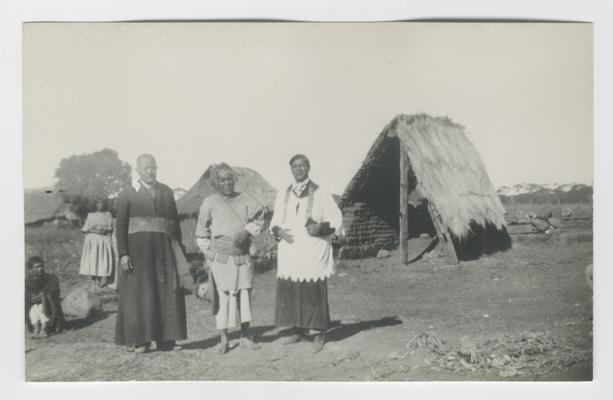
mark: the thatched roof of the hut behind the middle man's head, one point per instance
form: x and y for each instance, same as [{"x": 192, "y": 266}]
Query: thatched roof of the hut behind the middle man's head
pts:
[{"x": 248, "y": 181}]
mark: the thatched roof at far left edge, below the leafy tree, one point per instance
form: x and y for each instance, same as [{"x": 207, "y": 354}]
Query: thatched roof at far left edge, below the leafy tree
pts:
[{"x": 43, "y": 205}]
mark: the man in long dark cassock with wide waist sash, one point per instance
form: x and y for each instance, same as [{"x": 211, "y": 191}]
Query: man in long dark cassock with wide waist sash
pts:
[{"x": 151, "y": 300}]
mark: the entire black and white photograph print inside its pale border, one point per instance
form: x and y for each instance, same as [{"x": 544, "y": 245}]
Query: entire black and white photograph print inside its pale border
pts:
[{"x": 300, "y": 201}]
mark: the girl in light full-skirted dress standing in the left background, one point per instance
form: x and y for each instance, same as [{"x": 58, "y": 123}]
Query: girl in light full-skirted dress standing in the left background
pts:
[{"x": 97, "y": 259}]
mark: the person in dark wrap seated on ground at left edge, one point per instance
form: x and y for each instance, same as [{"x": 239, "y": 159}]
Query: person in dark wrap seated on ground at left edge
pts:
[{"x": 43, "y": 304}]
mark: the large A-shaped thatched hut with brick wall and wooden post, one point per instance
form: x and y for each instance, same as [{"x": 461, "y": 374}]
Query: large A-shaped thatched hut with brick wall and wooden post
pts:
[{"x": 423, "y": 174}]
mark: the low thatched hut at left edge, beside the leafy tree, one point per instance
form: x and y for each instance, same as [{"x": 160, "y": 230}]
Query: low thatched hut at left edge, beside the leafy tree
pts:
[{"x": 44, "y": 206}]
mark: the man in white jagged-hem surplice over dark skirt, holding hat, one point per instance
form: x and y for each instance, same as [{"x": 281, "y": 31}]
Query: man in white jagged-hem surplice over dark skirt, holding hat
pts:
[{"x": 305, "y": 220}]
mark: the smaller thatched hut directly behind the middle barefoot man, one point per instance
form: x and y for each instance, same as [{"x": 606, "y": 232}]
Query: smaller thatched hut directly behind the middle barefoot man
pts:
[{"x": 189, "y": 204}]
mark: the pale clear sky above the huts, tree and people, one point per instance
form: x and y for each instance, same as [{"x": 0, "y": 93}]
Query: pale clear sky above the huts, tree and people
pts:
[{"x": 254, "y": 94}]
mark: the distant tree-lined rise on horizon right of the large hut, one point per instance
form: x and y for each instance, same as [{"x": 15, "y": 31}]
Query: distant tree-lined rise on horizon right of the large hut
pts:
[{"x": 548, "y": 193}]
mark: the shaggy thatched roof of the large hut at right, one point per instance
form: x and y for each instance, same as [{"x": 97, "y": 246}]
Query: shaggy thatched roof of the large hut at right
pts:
[{"x": 447, "y": 169}]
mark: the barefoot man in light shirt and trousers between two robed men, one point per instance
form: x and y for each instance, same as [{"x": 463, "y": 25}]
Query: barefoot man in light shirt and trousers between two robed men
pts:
[{"x": 226, "y": 223}]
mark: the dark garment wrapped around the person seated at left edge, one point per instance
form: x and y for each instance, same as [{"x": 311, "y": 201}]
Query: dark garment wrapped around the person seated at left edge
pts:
[{"x": 48, "y": 286}]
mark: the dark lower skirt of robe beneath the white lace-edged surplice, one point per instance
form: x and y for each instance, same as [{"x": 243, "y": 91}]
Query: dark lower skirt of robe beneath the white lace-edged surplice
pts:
[{"x": 302, "y": 304}]
